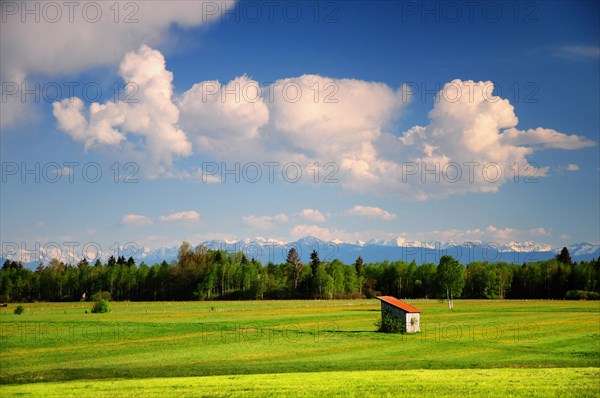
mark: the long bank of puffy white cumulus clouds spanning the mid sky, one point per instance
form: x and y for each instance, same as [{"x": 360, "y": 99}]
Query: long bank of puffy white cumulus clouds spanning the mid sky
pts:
[{"x": 470, "y": 145}]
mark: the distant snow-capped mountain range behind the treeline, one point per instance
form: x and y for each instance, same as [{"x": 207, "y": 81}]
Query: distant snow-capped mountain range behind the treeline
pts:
[{"x": 266, "y": 250}]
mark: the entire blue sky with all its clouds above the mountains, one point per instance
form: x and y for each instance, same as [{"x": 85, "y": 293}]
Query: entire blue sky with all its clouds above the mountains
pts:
[{"x": 150, "y": 123}]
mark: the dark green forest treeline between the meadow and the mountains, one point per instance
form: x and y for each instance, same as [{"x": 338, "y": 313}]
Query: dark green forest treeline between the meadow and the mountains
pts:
[{"x": 201, "y": 274}]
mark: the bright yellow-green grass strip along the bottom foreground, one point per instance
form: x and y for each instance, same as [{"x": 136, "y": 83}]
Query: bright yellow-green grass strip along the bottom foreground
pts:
[{"x": 558, "y": 382}]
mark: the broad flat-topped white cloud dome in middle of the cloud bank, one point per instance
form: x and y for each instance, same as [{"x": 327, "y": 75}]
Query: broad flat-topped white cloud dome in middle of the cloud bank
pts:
[{"x": 311, "y": 110}]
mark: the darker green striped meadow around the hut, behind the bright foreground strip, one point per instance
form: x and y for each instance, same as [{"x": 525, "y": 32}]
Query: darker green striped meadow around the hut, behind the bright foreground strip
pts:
[{"x": 59, "y": 342}]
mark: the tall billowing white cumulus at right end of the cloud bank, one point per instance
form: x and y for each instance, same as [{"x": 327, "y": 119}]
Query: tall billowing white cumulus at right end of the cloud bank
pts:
[{"x": 462, "y": 144}]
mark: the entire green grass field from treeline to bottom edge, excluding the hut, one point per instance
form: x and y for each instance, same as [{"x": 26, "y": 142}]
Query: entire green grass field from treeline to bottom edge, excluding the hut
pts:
[{"x": 301, "y": 348}]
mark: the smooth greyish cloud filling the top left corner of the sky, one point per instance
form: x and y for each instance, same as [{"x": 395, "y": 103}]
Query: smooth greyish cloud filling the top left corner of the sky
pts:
[{"x": 49, "y": 45}]
